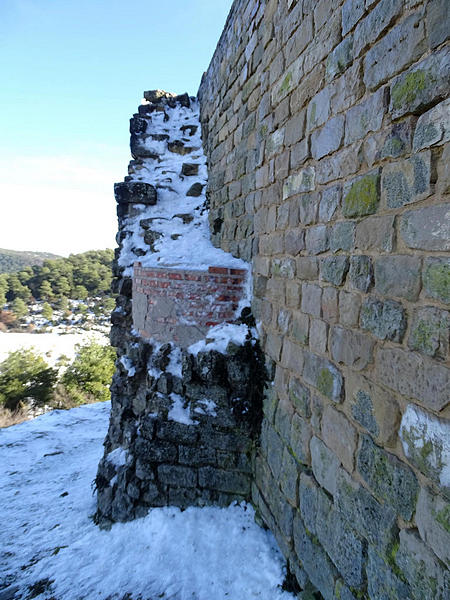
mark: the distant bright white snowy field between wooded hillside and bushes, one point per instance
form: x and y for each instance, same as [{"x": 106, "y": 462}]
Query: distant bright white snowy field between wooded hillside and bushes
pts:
[{"x": 52, "y": 345}]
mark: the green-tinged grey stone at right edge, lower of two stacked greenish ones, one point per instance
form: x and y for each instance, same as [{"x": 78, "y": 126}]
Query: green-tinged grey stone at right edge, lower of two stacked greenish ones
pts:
[{"x": 430, "y": 332}]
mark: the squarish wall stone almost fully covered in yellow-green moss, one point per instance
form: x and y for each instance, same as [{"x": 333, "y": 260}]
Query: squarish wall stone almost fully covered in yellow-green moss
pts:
[{"x": 362, "y": 195}]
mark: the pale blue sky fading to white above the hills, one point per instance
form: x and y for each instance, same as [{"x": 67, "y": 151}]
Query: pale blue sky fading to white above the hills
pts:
[{"x": 73, "y": 72}]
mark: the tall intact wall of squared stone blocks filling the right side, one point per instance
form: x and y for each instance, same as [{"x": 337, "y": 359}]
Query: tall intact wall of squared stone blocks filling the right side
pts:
[{"x": 326, "y": 127}]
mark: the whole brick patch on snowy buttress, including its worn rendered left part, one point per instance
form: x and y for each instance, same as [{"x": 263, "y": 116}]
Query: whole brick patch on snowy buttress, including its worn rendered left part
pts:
[{"x": 181, "y": 305}]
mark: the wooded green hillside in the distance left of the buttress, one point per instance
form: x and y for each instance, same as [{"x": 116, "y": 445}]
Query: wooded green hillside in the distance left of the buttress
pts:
[{"x": 77, "y": 277}]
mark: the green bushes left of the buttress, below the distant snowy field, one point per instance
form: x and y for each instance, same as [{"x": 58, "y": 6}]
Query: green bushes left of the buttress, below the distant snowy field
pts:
[{"x": 27, "y": 380}]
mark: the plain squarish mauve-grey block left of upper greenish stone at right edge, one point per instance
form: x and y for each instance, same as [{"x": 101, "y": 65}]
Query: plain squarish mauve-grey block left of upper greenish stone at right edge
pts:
[{"x": 398, "y": 276}]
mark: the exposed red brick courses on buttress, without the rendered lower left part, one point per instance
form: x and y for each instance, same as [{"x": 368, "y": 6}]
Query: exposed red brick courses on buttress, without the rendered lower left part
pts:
[{"x": 207, "y": 298}]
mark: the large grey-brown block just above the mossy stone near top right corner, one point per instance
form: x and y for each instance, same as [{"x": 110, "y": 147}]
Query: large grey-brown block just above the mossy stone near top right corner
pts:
[{"x": 400, "y": 47}]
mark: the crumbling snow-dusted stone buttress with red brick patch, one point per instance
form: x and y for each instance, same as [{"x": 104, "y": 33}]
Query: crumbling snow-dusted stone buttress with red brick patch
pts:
[{"x": 185, "y": 419}]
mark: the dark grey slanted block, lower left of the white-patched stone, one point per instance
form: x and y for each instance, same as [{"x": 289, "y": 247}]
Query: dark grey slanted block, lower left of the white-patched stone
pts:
[{"x": 389, "y": 479}]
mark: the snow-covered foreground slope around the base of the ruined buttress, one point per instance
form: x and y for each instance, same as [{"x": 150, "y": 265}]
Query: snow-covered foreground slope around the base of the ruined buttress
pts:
[{"x": 51, "y": 549}]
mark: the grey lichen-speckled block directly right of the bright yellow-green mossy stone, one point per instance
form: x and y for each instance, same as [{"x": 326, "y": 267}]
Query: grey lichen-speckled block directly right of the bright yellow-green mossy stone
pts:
[{"x": 406, "y": 181}]
